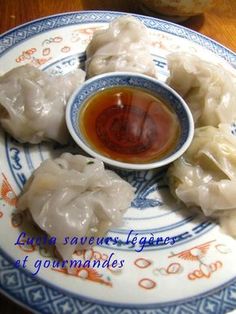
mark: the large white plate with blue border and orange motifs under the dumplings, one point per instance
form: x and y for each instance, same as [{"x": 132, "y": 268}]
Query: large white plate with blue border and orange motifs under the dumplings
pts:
[{"x": 196, "y": 274}]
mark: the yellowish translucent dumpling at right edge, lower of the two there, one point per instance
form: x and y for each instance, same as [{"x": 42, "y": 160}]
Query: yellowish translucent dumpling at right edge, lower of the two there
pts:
[{"x": 205, "y": 176}]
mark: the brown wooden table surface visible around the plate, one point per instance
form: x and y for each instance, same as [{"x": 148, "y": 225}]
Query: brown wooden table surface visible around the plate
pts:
[{"x": 218, "y": 23}]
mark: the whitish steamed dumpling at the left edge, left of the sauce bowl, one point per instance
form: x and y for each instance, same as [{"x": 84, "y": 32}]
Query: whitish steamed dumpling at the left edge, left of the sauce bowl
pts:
[{"x": 32, "y": 103}]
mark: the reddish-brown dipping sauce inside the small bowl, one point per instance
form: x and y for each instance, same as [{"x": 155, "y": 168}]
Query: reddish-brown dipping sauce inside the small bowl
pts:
[{"x": 129, "y": 125}]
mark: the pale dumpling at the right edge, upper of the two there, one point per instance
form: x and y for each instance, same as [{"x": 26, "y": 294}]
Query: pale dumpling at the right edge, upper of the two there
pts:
[{"x": 208, "y": 89}]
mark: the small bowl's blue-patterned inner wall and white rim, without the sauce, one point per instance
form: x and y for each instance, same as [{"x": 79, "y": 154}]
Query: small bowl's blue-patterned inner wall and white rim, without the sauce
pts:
[{"x": 147, "y": 84}]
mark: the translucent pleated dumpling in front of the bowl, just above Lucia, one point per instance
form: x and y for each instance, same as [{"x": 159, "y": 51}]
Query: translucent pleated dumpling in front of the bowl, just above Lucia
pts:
[{"x": 75, "y": 196}]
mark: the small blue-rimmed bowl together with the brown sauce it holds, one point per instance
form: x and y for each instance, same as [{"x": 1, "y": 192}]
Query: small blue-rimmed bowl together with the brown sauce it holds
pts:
[{"x": 129, "y": 121}]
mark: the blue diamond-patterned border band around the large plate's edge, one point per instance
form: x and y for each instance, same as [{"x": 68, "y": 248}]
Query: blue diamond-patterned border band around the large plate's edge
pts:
[{"x": 53, "y": 299}]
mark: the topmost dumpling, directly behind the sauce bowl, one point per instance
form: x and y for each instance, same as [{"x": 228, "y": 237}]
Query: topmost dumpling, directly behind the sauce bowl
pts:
[{"x": 124, "y": 46}]
